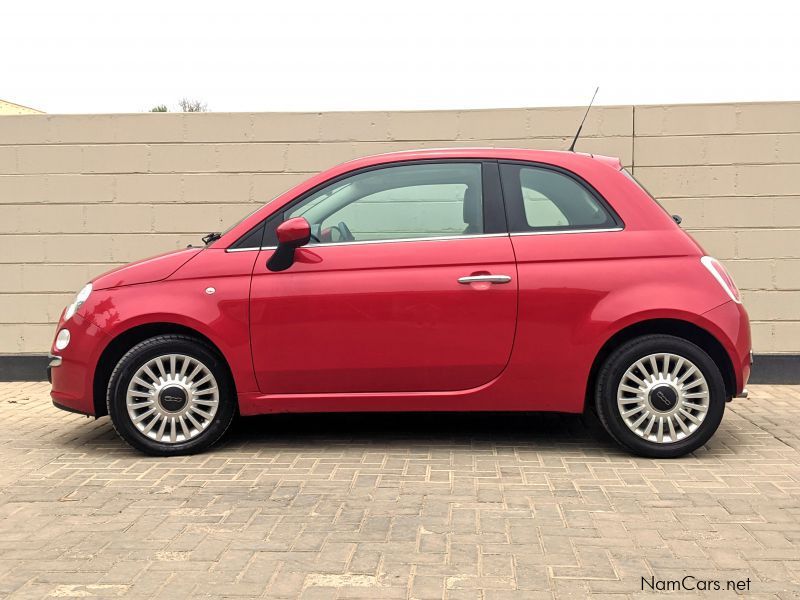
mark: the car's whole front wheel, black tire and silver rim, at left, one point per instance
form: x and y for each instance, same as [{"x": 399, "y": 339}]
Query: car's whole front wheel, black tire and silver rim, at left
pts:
[{"x": 171, "y": 395}]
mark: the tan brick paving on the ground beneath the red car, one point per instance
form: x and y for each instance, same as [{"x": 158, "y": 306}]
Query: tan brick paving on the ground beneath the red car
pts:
[{"x": 487, "y": 507}]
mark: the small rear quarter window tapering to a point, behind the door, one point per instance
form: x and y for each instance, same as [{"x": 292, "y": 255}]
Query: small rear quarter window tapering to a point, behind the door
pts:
[{"x": 545, "y": 199}]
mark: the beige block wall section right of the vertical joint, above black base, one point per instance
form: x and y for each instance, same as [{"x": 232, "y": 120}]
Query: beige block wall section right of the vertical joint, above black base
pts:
[{"x": 733, "y": 172}]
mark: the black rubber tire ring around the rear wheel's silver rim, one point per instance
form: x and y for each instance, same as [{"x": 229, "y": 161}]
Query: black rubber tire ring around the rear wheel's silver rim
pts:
[{"x": 610, "y": 376}]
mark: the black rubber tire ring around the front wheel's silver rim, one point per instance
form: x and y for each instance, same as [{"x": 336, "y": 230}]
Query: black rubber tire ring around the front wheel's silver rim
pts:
[{"x": 148, "y": 350}]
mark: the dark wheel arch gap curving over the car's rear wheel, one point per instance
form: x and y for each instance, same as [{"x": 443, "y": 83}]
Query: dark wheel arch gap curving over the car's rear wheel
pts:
[{"x": 669, "y": 326}]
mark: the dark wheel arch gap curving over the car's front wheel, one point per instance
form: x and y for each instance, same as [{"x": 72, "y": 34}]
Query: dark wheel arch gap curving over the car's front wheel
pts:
[{"x": 123, "y": 342}]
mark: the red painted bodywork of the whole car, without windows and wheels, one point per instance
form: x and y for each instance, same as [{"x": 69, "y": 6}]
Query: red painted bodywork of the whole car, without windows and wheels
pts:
[{"x": 387, "y": 326}]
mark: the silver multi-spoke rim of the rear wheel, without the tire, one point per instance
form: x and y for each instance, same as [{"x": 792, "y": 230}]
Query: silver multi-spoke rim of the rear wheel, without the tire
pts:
[{"x": 663, "y": 398}]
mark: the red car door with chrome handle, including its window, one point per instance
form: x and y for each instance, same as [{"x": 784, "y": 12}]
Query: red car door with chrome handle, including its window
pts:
[{"x": 408, "y": 285}]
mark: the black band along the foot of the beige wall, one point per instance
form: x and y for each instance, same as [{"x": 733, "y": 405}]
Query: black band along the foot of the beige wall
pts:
[{"x": 774, "y": 369}]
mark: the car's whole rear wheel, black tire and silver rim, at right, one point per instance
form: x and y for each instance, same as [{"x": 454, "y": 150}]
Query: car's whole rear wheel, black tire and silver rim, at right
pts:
[{"x": 660, "y": 396}]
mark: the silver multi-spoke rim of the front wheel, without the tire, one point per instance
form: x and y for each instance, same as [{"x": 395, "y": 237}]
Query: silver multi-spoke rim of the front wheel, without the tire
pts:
[{"x": 172, "y": 398}]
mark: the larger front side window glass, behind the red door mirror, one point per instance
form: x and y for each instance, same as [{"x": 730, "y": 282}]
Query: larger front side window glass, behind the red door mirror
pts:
[{"x": 397, "y": 202}]
